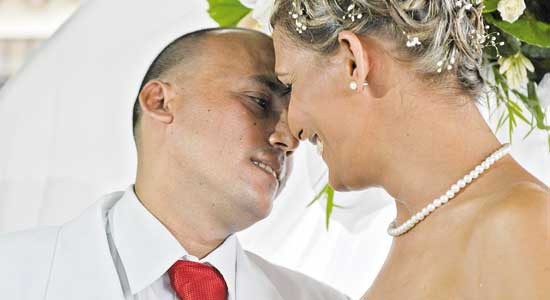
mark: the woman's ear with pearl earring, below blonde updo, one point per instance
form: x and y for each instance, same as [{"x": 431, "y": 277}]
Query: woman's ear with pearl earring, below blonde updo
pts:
[{"x": 357, "y": 61}]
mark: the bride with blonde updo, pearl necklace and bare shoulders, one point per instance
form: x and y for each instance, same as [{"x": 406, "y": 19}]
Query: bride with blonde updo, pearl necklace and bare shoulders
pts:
[{"x": 387, "y": 91}]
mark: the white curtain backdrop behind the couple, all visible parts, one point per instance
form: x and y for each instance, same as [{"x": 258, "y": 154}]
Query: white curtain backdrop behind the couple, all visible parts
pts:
[{"x": 65, "y": 139}]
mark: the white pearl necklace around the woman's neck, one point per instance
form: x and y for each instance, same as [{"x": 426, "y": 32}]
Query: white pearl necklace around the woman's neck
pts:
[{"x": 394, "y": 230}]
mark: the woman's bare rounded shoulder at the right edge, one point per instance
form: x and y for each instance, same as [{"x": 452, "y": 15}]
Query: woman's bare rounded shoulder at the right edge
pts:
[{"x": 511, "y": 242}]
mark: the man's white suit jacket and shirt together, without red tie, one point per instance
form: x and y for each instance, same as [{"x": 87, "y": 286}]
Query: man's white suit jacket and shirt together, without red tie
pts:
[{"x": 117, "y": 250}]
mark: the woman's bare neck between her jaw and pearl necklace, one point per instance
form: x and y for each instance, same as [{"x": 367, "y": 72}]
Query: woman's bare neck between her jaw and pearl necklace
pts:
[{"x": 440, "y": 146}]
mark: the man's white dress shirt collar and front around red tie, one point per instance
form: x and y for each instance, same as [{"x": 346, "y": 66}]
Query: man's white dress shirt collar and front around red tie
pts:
[{"x": 144, "y": 250}]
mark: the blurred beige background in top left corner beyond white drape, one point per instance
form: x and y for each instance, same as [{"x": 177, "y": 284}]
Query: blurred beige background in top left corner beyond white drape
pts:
[{"x": 24, "y": 25}]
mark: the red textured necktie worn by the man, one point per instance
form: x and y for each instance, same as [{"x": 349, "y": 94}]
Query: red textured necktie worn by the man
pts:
[{"x": 197, "y": 281}]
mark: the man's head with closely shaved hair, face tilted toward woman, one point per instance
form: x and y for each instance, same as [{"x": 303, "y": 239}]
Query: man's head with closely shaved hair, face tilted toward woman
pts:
[{"x": 211, "y": 128}]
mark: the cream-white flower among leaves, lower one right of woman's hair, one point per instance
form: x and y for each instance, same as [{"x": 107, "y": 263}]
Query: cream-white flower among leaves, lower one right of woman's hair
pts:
[{"x": 515, "y": 69}]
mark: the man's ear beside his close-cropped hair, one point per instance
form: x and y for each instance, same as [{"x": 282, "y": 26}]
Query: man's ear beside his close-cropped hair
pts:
[{"x": 153, "y": 101}]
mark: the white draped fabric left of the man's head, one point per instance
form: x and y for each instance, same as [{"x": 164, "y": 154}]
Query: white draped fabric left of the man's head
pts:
[{"x": 66, "y": 117}]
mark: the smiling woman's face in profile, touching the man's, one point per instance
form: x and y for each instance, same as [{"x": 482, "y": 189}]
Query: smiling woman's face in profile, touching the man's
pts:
[{"x": 323, "y": 109}]
